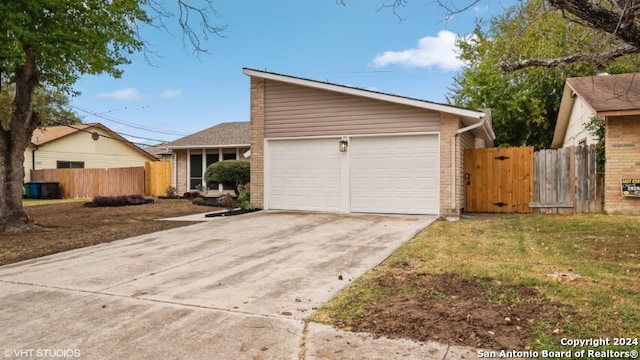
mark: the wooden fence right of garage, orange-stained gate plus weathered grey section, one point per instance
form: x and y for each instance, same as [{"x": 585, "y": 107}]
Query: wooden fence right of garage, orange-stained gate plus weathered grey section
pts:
[{"x": 518, "y": 180}]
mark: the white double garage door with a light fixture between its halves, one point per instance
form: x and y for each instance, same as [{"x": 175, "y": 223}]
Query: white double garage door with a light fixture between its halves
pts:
[{"x": 387, "y": 174}]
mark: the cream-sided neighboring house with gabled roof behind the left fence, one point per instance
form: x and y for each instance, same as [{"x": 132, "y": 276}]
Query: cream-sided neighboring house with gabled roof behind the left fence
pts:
[{"x": 80, "y": 146}]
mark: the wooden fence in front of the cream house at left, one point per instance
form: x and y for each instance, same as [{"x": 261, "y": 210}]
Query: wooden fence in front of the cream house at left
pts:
[{"x": 151, "y": 180}]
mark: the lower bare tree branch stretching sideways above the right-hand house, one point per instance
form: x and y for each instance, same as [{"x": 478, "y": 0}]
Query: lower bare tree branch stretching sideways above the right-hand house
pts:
[{"x": 596, "y": 58}]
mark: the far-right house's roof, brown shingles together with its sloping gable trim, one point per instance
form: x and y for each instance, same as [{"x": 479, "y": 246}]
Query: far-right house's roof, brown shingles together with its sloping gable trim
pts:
[{"x": 606, "y": 95}]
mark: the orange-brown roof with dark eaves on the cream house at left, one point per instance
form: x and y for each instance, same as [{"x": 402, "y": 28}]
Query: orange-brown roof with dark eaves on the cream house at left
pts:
[{"x": 48, "y": 134}]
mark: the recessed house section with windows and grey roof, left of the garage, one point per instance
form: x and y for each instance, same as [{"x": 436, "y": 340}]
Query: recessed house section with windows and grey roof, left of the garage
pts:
[{"x": 192, "y": 155}]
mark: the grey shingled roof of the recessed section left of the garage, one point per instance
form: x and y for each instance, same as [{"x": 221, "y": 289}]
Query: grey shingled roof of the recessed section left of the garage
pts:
[{"x": 224, "y": 134}]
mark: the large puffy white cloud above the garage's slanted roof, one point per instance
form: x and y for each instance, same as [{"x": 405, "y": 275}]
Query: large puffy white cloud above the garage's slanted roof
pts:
[{"x": 439, "y": 51}]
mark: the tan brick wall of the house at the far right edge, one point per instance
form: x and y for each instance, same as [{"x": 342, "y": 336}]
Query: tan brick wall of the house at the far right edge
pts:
[{"x": 623, "y": 160}]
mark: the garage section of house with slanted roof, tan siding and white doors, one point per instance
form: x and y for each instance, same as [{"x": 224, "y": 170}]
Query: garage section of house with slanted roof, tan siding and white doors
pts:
[{"x": 326, "y": 147}]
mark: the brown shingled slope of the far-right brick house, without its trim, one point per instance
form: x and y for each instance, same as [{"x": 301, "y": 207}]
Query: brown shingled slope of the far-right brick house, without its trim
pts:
[{"x": 606, "y": 94}]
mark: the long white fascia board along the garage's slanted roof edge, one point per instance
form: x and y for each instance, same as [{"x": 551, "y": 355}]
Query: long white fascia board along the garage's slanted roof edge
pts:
[{"x": 475, "y": 114}]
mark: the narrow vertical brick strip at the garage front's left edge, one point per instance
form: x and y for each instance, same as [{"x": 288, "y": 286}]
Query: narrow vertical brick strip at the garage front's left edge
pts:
[{"x": 257, "y": 142}]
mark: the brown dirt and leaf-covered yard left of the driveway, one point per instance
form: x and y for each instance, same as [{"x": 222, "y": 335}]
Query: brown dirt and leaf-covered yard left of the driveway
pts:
[{"x": 72, "y": 225}]
